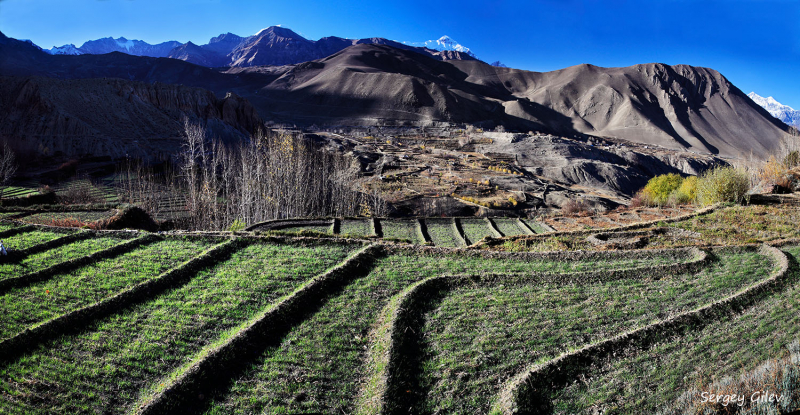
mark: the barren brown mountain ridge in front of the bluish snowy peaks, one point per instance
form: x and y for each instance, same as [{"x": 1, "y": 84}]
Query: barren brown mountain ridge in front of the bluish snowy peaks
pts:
[{"x": 675, "y": 107}]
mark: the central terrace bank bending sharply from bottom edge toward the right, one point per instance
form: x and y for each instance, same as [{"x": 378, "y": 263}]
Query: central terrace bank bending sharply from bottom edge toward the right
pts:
[{"x": 385, "y": 390}]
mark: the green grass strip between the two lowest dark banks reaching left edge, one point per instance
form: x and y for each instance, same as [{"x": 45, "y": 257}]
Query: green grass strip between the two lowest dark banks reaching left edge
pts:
[{"x": 23, "y": 307}]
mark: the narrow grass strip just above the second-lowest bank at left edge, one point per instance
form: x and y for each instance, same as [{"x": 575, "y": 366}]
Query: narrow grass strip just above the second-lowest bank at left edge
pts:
[{"x": 49, "y": 258}]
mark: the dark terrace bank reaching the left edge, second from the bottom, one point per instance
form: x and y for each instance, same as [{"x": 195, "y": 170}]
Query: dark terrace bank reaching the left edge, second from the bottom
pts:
[{"x": 75, "y": 263}]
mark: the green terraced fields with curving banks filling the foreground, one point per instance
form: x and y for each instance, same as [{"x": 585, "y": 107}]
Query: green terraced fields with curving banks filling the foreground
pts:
[{"x": 125, "y": 322}]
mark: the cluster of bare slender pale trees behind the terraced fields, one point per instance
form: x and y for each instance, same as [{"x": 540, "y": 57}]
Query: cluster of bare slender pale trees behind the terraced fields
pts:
[{"x": 273, "y": 175}]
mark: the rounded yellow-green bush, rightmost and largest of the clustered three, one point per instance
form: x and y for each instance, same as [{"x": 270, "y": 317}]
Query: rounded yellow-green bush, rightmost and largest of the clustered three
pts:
[{"x": 723, "y": 184}]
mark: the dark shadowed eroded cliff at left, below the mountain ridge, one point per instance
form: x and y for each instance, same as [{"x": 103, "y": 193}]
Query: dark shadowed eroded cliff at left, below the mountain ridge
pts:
[{"x": 112, "y": 117}]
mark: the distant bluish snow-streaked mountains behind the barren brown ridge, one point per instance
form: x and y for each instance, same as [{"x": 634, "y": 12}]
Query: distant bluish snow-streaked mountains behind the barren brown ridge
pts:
[{"x": 274, "y": 45}]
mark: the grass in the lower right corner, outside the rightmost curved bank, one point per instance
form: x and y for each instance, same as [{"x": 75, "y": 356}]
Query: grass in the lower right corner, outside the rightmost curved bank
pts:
[{"x": 644, "y": 381}]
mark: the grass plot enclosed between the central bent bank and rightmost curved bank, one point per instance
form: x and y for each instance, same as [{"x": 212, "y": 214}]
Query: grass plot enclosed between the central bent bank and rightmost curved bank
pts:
[{"x": 477, "y": 338}]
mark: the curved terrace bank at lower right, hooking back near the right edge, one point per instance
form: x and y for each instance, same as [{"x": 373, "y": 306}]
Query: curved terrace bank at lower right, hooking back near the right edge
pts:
[{"x": 526, "y": 392}]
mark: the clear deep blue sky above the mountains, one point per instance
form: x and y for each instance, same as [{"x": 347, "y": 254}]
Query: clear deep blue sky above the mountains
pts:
[{"x": 755, "y": 43}]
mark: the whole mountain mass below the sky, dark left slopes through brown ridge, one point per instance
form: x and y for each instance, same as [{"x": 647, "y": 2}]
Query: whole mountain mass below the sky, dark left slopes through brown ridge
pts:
[{"x": 367, "y": 83}]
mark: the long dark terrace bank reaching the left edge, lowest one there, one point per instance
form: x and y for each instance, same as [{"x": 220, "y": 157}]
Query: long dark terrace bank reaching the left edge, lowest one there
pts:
[{"x": 78, "y": 318}]
